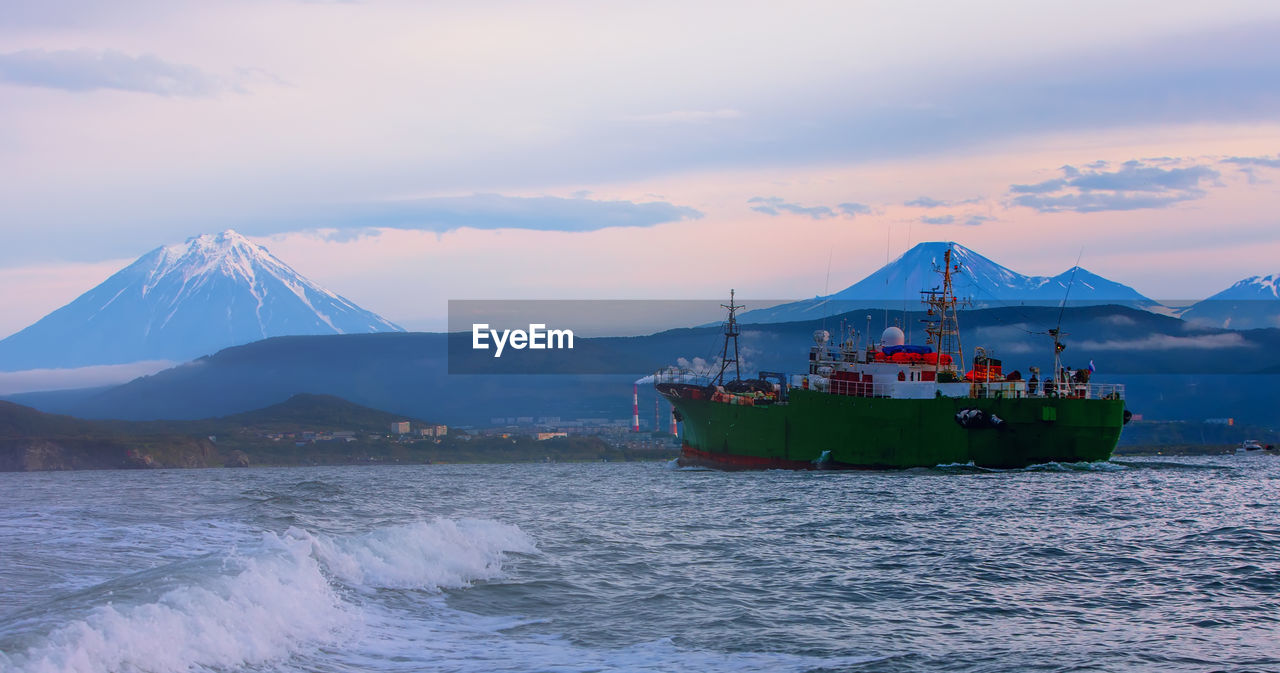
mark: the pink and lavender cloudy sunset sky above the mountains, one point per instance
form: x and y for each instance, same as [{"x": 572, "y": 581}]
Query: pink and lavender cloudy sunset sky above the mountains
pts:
[{"x": 406, "y": 153}]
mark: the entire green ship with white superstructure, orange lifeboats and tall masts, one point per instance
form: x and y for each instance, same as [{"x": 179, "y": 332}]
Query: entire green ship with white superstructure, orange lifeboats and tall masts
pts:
[{"x": 894, "y": 406}]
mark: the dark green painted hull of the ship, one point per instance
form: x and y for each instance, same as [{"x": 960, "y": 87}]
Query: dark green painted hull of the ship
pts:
[{"x": 884, "y": 433}]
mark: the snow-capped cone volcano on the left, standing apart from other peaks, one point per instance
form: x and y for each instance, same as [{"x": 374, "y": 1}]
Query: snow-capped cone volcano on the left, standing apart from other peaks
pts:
[{"x": 185, "y": 301}]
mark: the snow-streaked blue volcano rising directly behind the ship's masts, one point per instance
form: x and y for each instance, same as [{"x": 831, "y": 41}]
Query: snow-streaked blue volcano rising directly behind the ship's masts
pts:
[{"x": 981, "y": 281}]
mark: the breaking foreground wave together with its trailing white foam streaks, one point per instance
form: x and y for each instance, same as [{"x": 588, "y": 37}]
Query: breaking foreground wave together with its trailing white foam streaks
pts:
[{"x": 308, "y": 602}]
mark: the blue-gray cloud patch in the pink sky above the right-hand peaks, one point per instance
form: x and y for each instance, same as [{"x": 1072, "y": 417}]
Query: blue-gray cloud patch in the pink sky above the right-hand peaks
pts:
[{"x": 1136, "y": 185}]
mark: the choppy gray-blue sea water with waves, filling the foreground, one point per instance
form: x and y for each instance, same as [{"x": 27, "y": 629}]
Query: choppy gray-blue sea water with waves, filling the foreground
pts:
[{"x": 1139, "y": 565}]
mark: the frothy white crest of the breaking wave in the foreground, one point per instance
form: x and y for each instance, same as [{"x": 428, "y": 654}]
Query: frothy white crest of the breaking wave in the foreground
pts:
[{"x": 276, "y": 602}]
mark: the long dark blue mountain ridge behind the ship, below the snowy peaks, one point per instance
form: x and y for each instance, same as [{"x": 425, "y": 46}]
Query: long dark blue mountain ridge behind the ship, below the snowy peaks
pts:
[{"x": 1172, "y": 370}]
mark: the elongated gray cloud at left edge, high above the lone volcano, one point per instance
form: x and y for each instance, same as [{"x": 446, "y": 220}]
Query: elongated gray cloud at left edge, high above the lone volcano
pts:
[{"x": 86, "y": 70}]
